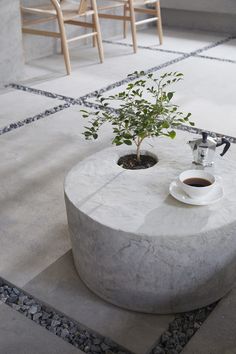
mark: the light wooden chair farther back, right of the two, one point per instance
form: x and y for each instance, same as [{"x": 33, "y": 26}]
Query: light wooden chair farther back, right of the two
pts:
[{"x": 129, "y": 9}]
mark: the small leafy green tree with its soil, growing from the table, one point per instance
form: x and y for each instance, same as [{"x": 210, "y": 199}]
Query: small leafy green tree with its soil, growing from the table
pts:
[{"x": 145, "y": 110}]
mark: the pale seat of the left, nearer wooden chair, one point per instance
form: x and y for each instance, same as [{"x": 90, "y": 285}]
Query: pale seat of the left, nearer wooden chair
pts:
[{"x": 69, "y": 9}]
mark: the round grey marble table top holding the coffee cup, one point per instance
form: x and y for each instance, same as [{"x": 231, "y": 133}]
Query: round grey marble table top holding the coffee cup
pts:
[{"x": 138, "y": 201}]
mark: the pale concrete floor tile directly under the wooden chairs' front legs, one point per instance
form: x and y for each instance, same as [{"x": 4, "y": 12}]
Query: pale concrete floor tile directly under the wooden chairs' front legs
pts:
[{"x": 87, "y": 75}]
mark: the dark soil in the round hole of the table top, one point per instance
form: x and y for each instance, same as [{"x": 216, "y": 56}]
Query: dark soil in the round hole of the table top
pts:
[{"x": 130, "y": 162}]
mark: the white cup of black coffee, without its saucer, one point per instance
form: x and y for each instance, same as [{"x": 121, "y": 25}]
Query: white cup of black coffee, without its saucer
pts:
[{"x": 196, "y": 183}]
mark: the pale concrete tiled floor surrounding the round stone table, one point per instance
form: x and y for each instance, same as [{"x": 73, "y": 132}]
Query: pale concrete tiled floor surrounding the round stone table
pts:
[{"x": 40, "y": 128}]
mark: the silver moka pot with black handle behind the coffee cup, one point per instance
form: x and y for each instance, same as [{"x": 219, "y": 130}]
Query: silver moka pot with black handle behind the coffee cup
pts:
[{"x": 204, "y": 149}]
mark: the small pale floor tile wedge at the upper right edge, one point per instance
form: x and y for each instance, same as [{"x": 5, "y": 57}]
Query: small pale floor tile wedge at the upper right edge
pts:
[{"x": 223, "y": 51}]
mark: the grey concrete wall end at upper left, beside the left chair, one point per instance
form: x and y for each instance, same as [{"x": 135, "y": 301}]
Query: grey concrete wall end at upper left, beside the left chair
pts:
[{"x": 11, "y": 57}]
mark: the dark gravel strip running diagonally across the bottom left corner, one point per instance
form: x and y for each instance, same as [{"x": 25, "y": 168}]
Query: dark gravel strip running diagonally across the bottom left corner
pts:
[{"x": 57, "y": 323}]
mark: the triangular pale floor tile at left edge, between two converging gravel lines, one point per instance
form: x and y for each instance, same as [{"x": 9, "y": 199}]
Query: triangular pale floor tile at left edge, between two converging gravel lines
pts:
[{"x": 18, "y": 105}]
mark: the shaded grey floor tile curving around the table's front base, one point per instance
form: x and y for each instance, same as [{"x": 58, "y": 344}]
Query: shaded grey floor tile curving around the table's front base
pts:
[{"x": 61, "y": 287}]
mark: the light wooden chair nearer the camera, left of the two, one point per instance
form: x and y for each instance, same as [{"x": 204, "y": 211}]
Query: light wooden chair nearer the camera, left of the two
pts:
[{"x": 64, "y": 12}]
